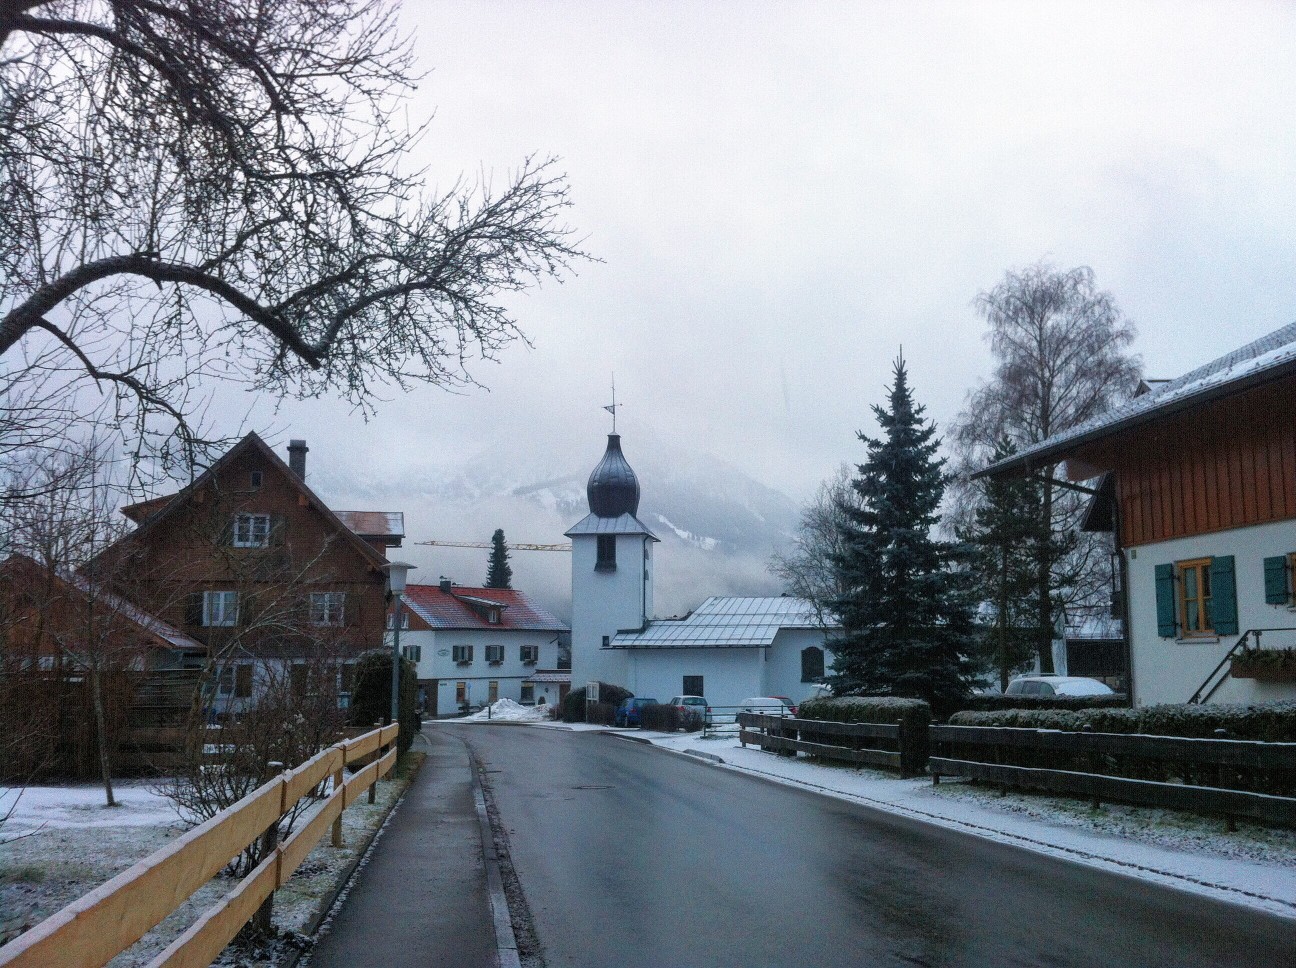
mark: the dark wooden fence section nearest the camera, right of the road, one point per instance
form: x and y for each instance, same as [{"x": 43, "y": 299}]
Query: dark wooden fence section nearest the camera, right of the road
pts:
[{"x": 986, "y": 754}]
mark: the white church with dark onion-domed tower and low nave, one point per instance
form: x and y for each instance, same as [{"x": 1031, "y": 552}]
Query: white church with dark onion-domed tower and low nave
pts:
[{"x": 726, "y": 650}]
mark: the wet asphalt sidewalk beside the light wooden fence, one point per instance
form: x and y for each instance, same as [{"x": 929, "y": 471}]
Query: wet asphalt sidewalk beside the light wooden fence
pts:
[{"x": 421, "y": 899}]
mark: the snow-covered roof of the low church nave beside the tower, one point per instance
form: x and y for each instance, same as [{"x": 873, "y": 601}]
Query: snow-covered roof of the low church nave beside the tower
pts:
[{"x": 735, "y": 624}]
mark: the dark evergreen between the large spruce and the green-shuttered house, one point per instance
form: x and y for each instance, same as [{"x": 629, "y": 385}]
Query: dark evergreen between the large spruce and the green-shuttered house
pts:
[{"x": 1004, "y": 549}]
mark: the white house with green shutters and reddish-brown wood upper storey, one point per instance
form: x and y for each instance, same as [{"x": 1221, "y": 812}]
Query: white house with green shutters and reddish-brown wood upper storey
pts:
[{"x": 1196, "y": 479}]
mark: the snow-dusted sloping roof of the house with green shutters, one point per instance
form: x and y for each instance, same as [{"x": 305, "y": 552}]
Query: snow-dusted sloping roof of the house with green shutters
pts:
[{"x": 1266, "y": 360}]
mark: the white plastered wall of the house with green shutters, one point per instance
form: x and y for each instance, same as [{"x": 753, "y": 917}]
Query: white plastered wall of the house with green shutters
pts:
[{"x": 1170, "y": 671}]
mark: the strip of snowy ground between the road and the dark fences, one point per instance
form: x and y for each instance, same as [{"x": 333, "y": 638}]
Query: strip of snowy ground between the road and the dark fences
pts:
[{"x": 1254, "y": 866}]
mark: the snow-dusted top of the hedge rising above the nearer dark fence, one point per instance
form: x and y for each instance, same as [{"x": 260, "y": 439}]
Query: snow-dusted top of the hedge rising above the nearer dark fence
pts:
[{"x": 1271, "y": 722}]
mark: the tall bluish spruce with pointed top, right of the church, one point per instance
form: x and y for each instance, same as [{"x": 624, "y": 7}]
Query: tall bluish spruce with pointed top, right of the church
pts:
[{"x": 907, "y": 620}]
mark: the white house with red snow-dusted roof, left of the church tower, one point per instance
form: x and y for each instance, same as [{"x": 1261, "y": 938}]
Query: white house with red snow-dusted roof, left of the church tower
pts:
[{"x": 478, "y": 646}]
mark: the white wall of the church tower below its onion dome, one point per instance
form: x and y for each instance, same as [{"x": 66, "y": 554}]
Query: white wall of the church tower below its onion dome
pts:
[{"x": 603, "y": 603}]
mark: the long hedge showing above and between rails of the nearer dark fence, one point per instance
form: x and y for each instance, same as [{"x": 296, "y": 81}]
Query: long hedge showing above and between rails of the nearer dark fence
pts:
[{"x": 1271, "y": 722}]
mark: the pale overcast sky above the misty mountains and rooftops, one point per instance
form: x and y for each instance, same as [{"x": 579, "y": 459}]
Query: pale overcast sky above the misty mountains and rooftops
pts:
[{"x": 783, "y": 195}]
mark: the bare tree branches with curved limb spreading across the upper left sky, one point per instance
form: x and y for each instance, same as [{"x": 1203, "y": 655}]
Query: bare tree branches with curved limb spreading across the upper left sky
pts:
[{"x": 218, "y": 191}]
